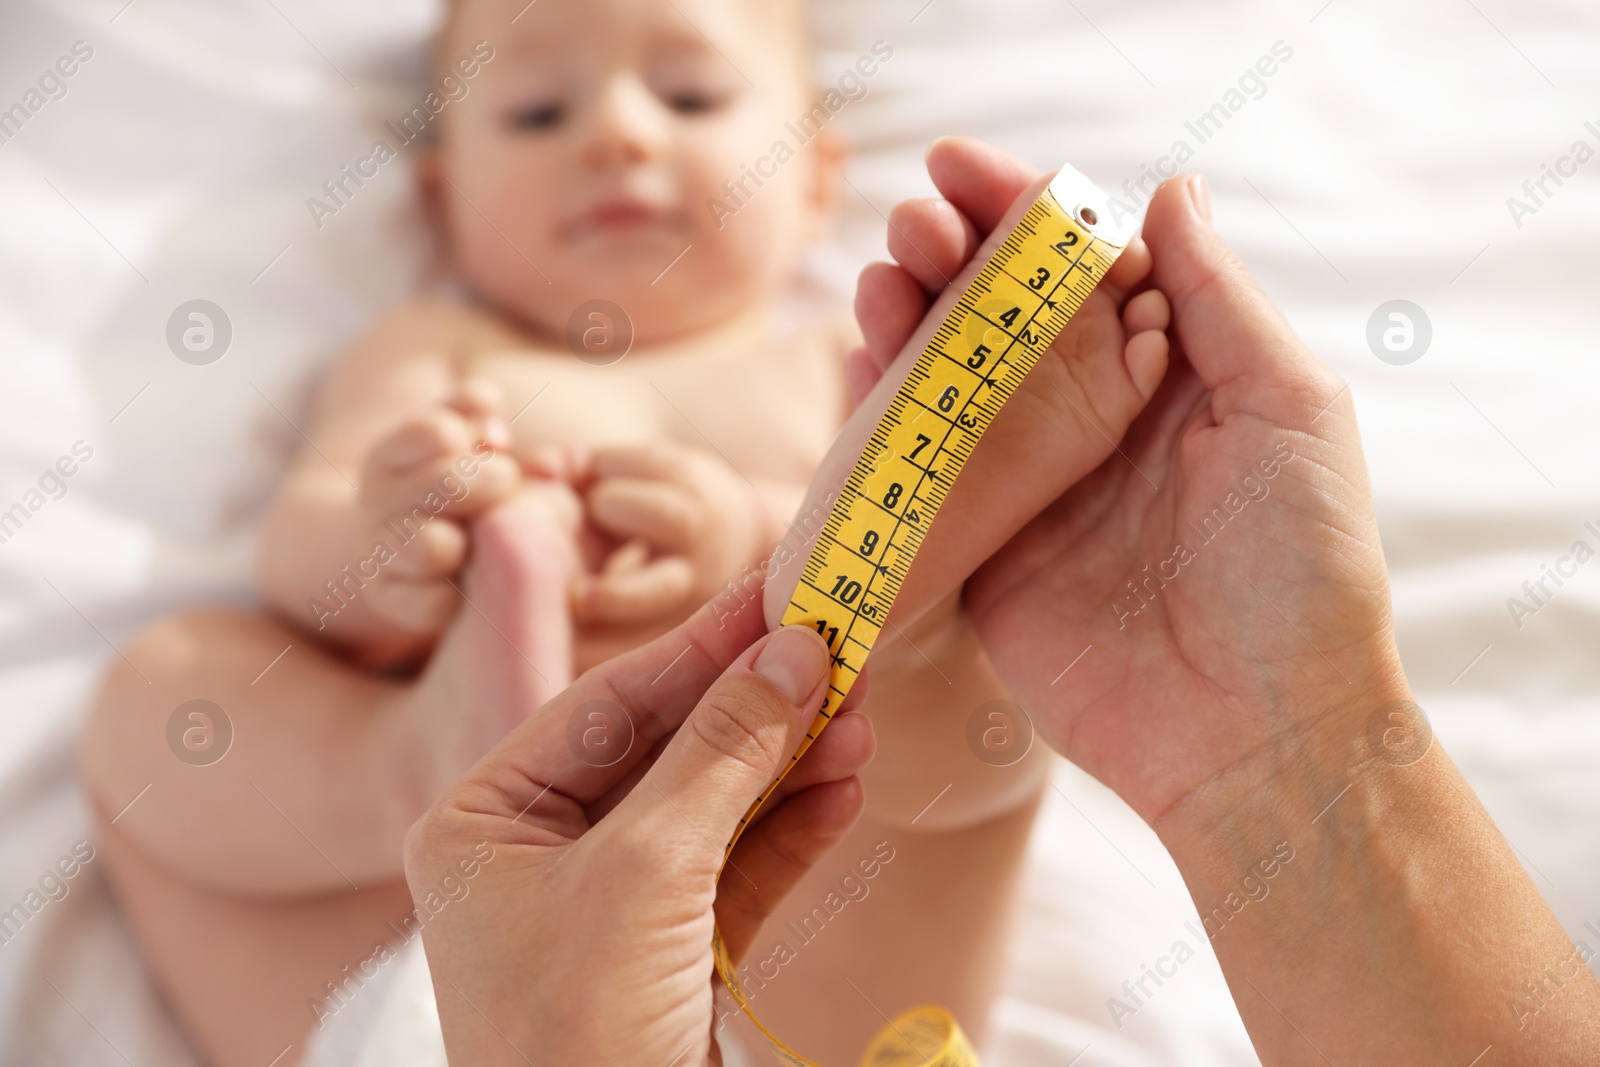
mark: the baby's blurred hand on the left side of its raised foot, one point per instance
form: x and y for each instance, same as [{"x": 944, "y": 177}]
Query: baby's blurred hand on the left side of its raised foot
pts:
[{"x": 418, "y": 487}]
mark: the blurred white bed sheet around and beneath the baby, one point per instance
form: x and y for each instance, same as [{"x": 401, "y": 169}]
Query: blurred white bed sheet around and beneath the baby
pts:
[{"x": 1396, "y": 153}]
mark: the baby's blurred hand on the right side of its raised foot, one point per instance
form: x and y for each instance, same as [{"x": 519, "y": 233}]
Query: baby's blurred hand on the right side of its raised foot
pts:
[{"x": 686, "y": 522}]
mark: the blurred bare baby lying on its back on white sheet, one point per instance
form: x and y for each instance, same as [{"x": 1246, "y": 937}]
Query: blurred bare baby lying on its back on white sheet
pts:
[{"x": 614, "y": 420}]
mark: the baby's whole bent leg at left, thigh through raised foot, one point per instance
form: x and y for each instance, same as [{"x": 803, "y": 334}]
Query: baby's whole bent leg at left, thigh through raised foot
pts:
[{"x": 244, "y": 921}]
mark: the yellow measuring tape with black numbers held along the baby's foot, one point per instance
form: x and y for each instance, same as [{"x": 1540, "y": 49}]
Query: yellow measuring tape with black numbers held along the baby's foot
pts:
[{"x": 1006, "y": 321}]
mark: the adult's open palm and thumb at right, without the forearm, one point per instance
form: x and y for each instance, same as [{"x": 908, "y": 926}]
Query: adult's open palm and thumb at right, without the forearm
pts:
[{"x": 1222, "y": 578}]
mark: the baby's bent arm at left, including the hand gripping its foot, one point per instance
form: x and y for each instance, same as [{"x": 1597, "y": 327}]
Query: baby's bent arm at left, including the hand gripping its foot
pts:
[{"x": 364, "y": 535}]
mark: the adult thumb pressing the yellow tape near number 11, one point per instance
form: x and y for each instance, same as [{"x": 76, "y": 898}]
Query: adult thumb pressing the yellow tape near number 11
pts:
[{"x": 737, "y": 741}]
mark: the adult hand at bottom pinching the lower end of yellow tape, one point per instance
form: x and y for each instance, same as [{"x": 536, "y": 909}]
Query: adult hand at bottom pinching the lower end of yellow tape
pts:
[{"x": 585, "y": 937}]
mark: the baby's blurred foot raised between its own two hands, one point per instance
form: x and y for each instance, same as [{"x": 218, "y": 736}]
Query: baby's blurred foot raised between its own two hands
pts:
[{"x": 511, "y": 647}]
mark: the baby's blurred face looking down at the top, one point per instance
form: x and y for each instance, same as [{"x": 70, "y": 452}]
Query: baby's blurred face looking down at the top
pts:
[{"x": 583, "y": 161}]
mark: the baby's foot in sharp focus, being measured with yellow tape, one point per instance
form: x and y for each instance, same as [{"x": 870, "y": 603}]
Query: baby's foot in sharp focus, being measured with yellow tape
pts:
[{"x": 1065, "y": 420}]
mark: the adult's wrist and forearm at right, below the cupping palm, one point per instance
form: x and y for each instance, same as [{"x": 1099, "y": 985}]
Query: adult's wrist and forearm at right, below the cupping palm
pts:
[{"x": 1362, "y": 901}]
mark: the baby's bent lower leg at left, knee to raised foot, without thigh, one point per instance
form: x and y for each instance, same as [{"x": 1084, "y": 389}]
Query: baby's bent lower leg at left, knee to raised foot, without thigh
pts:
[{"x": 329, "y": 765}]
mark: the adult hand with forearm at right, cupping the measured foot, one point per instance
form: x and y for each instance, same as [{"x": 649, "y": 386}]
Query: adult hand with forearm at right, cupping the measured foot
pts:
[{"x": 1204, "y": 625}]
